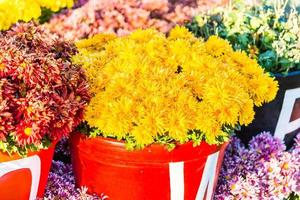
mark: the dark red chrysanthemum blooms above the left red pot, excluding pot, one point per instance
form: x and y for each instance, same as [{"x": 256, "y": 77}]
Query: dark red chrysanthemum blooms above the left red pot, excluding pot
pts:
[{"x": 42, "y": 94}]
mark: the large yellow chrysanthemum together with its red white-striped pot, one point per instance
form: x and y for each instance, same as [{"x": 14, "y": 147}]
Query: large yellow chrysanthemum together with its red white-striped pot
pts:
[{"x": 162, "y": 111}]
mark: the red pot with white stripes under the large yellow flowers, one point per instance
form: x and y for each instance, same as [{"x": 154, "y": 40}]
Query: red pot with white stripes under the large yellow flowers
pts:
[{"x": 185, "y": 173}]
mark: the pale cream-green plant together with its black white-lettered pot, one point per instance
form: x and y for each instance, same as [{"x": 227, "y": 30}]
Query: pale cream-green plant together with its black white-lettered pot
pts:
[{"x": 270, "y": 33}]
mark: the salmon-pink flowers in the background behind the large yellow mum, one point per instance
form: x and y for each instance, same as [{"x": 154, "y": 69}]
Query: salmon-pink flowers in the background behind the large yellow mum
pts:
[{"x": 123, "y": 16}]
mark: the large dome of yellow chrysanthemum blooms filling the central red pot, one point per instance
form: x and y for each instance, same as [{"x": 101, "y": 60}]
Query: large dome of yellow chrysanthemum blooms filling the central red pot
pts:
[{"x": 146, "y": 85}]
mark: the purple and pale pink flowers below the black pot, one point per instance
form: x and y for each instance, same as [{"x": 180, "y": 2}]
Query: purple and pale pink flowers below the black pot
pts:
[{"x": 264, "y": 170}]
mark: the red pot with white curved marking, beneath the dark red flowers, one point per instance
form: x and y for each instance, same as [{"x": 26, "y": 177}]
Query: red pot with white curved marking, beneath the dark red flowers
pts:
[{"x": 25, "y": 178}]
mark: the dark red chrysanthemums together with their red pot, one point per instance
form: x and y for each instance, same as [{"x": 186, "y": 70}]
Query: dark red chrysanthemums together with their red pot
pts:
[{"x": 42, "y": 97}]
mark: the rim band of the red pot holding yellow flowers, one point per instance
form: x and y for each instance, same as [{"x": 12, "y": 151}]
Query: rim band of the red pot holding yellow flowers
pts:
[{"x": 100, "y": 148}]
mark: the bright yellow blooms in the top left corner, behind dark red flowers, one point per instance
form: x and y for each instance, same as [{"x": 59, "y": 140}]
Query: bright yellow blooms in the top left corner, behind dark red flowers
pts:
[{"x": 11, "y": 11}]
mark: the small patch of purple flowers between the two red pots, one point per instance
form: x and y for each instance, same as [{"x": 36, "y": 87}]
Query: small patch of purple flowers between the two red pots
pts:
[{"x": 61, "y": 185}]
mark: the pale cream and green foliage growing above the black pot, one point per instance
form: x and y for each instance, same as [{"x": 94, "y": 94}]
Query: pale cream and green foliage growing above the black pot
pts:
[{"x": 267, "y": 32}]
